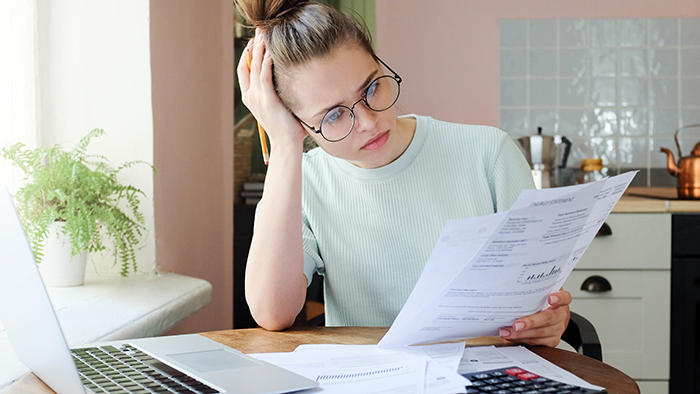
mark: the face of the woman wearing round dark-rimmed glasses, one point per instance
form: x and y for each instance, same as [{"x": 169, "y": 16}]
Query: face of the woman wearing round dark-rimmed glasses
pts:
[{"x": 341, "y": 78}]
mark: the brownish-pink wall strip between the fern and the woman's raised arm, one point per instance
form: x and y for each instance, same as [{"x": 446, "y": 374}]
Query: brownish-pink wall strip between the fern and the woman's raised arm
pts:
[{"x": 192, "y": 73}]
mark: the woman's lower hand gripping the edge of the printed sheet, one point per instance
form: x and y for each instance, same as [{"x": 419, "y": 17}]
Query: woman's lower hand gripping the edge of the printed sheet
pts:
[{"x": 545, "y": 327}]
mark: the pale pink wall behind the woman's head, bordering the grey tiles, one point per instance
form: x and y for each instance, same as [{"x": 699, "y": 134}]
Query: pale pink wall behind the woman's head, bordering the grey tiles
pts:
[{"x": 447, "y": 50}]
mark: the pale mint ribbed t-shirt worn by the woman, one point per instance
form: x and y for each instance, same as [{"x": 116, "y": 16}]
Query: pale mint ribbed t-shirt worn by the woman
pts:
[{"x": 370, "y": 232}]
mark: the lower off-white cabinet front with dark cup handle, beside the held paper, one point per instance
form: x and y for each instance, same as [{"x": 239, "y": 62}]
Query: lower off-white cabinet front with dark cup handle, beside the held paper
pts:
[{"x": 632, "y": 320}]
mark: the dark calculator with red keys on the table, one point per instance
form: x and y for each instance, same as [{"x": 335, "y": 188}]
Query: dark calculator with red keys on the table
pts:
[{"x": 514, "y": 380}]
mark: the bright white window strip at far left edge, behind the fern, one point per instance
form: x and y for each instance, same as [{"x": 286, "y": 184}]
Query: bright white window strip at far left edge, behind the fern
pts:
[{"x": 18, "y": 91}]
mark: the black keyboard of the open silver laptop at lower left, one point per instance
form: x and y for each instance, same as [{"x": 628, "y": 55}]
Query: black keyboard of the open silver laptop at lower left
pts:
[{"x": 126, "y": 369}]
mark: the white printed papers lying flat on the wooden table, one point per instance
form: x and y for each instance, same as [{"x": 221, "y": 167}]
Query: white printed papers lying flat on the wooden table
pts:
[{"x": 429, "y": 369}]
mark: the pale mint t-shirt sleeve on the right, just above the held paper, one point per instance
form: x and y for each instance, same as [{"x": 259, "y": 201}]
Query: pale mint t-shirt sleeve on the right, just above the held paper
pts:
[{"x": 510, "y": 175}]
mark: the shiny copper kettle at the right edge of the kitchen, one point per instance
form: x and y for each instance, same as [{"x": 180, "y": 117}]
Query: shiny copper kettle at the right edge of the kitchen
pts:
[{"x": 688, "y": 169}]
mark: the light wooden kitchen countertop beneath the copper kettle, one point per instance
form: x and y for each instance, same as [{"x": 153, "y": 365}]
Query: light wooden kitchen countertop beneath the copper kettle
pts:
[{"x": 654, "y": 199}]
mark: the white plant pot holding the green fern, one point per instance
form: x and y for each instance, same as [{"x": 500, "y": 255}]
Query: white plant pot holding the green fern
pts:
[{"x": 56, "y": 267}]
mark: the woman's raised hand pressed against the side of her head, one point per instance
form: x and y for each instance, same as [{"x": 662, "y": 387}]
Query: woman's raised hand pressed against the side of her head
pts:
[{"x": 260, "y": 97}]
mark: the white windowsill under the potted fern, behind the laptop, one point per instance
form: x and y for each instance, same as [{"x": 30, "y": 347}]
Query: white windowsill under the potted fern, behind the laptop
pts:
[{"x": 114, "y": 308}]
